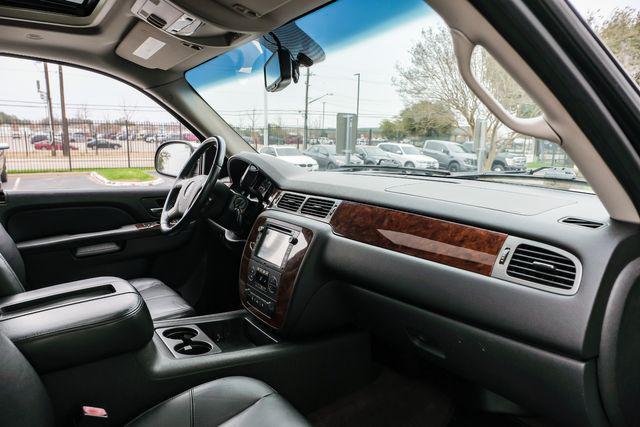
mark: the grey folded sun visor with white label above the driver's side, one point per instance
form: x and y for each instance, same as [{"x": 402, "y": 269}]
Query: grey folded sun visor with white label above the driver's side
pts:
[{"x": 152, "y": 48}]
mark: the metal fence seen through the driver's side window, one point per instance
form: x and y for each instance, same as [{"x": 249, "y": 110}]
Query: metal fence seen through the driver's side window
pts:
[{"x": 30, "y": 146}]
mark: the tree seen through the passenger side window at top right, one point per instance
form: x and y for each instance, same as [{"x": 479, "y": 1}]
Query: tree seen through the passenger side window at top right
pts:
[{"x": 621, "y": 33}]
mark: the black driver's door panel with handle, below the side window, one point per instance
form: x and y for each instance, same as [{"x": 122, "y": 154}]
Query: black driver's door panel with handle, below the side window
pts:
[{"x": 71, "y": 235}]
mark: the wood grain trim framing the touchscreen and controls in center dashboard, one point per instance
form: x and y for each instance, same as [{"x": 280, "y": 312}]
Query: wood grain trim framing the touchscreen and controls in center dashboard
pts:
[{"x": 288, "y": 275}]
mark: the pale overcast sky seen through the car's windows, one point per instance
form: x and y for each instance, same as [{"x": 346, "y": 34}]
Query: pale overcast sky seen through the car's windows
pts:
[{"x": 375, "y": 56}]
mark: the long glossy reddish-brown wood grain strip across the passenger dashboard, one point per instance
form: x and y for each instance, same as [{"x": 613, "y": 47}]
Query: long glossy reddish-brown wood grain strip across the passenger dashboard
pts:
[{"x": 456, "y": 245}]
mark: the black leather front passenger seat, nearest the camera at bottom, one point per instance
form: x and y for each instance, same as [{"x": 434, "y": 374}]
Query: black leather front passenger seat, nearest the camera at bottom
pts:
[{"x": 236, "y": 401}]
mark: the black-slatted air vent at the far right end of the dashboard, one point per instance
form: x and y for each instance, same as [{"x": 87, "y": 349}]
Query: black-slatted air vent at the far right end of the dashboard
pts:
[{"x": 542, "y": 266}]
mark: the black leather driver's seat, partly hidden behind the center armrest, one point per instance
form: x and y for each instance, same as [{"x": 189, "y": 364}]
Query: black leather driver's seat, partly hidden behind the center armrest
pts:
[{"x": 162, "y": 301}]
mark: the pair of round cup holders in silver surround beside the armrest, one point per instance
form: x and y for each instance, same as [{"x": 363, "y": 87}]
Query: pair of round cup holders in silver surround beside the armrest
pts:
[{"x": 187, "y": 341}]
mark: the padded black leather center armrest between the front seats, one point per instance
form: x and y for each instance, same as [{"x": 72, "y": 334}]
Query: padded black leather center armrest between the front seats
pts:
[{"x": 75, "y": 323}]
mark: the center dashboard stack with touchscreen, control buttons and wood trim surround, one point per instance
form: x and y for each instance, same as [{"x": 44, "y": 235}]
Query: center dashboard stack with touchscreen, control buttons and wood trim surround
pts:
[{"x": 269, "y": 268}]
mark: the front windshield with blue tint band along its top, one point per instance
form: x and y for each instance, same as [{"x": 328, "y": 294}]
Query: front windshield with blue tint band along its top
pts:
[{"x": 406, "y": 93}]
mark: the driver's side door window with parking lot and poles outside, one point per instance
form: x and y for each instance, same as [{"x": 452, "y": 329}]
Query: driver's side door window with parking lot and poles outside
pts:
[{"x": 105, "y": 137}]
